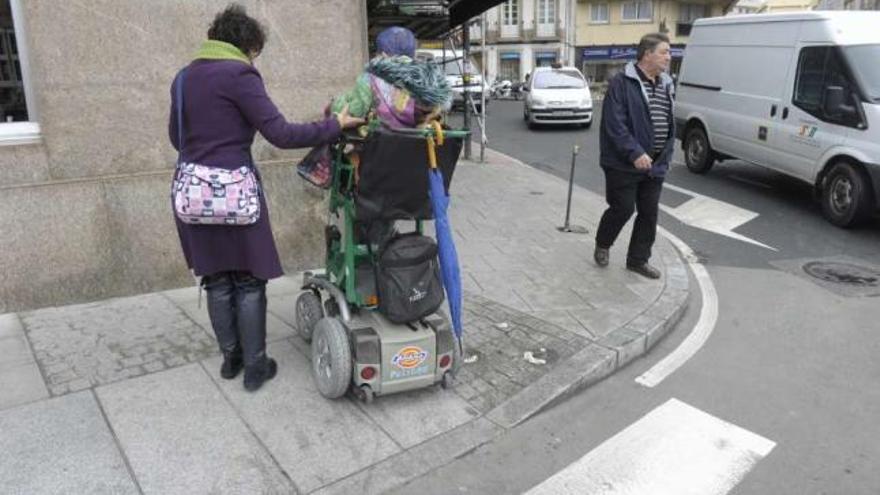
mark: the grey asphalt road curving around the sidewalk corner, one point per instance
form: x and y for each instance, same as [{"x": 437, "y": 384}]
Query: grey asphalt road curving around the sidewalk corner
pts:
[{"x": 790, "y": 359}]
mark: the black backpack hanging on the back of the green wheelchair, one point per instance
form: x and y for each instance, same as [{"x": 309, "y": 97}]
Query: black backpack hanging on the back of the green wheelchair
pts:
[{"x": 408, "y": 278}]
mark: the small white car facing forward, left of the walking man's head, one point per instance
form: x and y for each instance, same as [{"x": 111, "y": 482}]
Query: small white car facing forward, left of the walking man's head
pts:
[{"x": 557, "y": 95}]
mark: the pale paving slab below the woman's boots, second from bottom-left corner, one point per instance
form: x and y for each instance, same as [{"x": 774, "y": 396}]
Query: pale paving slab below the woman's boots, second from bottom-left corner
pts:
[{"x": 182, "y": 436}]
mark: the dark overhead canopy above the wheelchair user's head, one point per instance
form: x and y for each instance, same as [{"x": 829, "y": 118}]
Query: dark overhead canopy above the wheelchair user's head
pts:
[{"x": 428, "y": 19}]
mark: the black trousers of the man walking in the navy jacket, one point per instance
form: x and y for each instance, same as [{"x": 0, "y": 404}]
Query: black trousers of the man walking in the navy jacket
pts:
[{"x": 625, "y": 193}]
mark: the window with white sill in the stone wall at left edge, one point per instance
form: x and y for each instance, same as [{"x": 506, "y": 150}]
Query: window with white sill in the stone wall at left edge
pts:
[{"x": 17, "y": 114}]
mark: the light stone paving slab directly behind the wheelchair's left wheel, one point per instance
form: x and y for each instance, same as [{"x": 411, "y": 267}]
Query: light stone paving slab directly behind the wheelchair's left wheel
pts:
[{"x": 315, "y": 440}]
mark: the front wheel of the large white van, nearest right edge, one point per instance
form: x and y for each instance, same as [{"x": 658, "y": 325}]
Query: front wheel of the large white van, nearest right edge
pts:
[{"x": 846, "y": 196}]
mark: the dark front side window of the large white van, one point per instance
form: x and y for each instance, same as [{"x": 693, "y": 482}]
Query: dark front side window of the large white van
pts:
[{"x": 819, "y": 68}]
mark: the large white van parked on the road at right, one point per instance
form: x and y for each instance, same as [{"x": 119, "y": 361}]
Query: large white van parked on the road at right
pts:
[{"x": 797, "y": 93}]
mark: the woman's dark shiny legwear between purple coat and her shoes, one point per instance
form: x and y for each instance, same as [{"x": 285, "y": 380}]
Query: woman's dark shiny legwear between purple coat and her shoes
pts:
[{"x": 237, "y": 308}]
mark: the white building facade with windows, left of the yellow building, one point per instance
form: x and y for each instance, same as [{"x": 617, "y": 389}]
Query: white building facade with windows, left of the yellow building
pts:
[{"x": 522, "y": 35}]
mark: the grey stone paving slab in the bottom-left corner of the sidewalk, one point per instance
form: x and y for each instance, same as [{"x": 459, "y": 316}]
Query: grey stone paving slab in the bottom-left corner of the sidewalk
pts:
[{"x": 61, "y": 445}]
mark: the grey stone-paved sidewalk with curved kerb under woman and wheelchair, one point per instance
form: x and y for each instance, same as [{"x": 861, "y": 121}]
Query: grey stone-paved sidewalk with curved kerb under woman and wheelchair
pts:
[{"x": 123, "y": 395}]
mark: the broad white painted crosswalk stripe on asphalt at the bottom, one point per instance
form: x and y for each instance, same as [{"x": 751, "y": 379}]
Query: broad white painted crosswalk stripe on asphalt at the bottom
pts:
[{"x": 676, "y": 449}]
